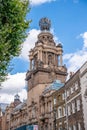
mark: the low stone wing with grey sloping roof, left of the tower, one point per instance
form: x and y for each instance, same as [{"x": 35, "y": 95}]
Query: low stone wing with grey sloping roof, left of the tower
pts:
[{"x": 18, "y": 116}]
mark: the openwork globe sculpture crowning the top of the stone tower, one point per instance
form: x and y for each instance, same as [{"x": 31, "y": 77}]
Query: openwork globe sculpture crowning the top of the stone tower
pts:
[{"x": 45, "y": 24}]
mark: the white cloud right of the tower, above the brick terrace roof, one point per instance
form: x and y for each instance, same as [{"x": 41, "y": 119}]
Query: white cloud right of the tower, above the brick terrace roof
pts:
[{"x": 75, "y": 60}]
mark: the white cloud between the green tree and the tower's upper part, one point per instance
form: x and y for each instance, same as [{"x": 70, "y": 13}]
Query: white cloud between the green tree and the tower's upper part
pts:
[{"x": 29, "y": 43}]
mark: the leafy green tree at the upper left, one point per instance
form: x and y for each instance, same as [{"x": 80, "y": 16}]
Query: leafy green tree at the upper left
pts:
[{"x": 13, "y": 26}]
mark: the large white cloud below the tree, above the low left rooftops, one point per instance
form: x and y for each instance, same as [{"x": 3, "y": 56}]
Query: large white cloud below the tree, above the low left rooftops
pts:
[{"x": 15, "y": 84}]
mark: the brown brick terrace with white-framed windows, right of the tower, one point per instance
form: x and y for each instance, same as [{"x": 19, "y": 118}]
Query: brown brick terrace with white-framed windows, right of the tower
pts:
[{"x": 70, "y": 103}]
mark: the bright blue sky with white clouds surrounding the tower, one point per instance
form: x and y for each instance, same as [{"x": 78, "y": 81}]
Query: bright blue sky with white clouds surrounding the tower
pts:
[{"x": 68, "y": 25}]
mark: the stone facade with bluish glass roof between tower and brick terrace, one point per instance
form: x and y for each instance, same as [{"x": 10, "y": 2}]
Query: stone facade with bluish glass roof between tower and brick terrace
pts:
[{"x": 46, "y": 106}]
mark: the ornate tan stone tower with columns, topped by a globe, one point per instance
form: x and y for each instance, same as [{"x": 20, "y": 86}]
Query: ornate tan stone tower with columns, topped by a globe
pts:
[{"x": 46, "y": 64}]
